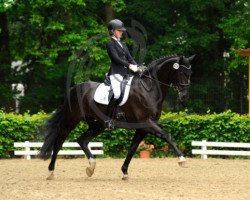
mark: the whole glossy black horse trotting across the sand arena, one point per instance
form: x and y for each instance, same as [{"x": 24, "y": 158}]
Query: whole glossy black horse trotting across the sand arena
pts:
[{"x": 142, "y": 111}]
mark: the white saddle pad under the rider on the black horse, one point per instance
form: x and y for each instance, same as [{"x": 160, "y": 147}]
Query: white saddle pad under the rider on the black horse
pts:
[{"x": 102, "y": 93}]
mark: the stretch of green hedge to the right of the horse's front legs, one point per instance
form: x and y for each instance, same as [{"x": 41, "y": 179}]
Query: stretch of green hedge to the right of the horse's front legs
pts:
[{"x": 223, "y": 127}]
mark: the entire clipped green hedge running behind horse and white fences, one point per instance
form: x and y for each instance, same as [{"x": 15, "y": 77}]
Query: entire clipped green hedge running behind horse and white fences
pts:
[{"x": 184, "y": 128}]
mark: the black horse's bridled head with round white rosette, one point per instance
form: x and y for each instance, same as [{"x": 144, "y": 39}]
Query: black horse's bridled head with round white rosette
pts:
[{"x": 181, "y": 74}]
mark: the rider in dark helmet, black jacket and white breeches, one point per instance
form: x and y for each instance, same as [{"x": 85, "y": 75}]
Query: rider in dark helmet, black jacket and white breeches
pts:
[{"x": 121, "y": 61}]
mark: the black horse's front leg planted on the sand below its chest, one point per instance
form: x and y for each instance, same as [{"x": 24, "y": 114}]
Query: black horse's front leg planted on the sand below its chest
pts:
[{"x": 138, "y": 137}]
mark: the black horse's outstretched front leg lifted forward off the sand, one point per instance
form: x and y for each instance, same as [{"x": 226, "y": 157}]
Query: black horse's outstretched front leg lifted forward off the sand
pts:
[{"x": 160, "y": 133}]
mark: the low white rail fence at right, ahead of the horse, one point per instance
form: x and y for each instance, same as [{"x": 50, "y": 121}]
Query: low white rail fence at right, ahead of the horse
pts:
[{"x": 204, "y": 152}]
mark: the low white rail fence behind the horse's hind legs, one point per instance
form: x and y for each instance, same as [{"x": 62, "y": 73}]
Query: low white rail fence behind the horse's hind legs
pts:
[{"x": 28, "y": 151}]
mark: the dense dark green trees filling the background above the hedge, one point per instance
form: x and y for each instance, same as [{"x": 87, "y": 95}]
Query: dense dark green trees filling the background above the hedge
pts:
[{"x": 47, "y": 35}]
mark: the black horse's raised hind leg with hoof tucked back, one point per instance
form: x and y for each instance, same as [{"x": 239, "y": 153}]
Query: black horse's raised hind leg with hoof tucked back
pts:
[{"x": 94, "y": 129}]
